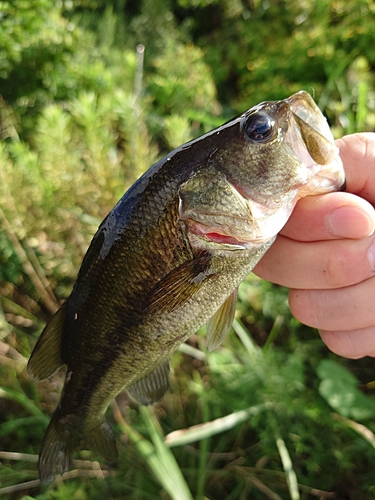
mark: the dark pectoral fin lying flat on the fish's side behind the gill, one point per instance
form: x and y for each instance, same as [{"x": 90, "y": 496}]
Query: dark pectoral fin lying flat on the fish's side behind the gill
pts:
[{"x": 179, "y": 285}]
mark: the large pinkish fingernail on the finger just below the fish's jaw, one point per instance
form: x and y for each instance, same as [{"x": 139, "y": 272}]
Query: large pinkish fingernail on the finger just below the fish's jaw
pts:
[{"x": 351, "y": 222}]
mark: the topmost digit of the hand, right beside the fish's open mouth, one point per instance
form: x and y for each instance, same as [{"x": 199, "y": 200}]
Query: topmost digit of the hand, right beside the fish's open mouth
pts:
[{"x": 357, "y": 152}]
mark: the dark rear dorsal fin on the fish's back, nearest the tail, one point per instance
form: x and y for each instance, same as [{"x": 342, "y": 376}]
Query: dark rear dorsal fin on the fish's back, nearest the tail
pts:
[{"x": 46, "y": 357}]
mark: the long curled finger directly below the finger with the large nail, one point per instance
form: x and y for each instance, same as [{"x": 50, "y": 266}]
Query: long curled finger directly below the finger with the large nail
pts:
[{"x": 318, "y": 265}]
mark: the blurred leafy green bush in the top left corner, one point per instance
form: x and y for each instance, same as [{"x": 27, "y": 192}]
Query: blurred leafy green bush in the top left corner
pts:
[{"x": 35, "y": 42}]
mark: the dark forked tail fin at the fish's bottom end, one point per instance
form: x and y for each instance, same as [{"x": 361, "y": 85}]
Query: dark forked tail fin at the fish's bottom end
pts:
[{"x": 62, "y": 439}]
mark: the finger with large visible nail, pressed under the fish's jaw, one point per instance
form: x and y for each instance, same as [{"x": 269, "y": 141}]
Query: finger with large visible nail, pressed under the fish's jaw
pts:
[{"x": 333, "y": 215}]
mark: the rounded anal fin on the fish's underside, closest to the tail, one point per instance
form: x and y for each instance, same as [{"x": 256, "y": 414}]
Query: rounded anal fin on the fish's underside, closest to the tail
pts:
[{"x": 148, "y": 390}]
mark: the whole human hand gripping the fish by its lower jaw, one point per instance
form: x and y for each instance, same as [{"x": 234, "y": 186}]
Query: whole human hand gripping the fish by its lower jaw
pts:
[{"x": 326, "y": 256}]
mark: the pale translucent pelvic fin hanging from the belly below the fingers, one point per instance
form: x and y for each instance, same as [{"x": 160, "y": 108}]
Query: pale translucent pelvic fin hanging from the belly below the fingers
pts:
[{"x": 221, "y": 321}]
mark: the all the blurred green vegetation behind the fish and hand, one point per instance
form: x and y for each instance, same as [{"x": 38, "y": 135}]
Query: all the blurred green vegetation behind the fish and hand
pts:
[{"x": 92, "y": 93}]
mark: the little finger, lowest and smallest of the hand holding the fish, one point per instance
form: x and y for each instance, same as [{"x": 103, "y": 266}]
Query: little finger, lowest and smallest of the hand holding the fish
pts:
[{"x": 351, "y": 343}]
